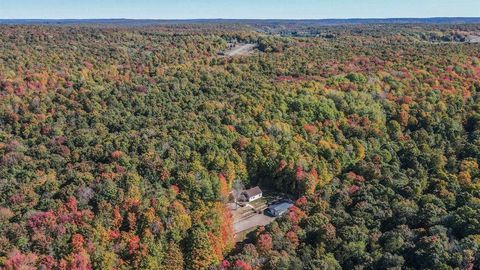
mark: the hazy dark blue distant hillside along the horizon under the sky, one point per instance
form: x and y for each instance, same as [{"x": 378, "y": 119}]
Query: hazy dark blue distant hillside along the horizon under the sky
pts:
[{"x": 439, "y": 20}]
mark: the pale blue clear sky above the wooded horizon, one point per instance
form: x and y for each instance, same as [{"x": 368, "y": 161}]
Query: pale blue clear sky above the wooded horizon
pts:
[{"x": 249, "y": 9}]
